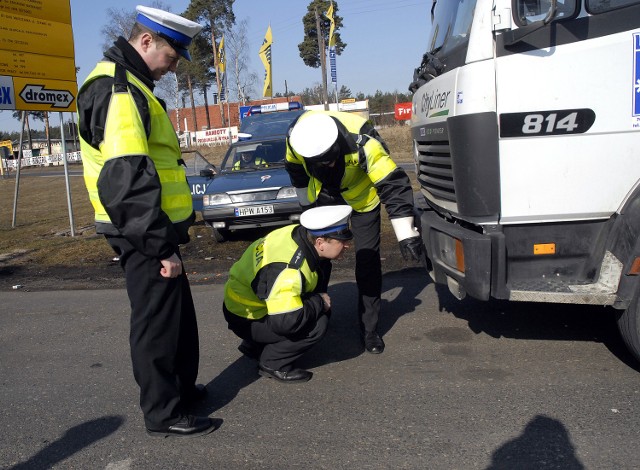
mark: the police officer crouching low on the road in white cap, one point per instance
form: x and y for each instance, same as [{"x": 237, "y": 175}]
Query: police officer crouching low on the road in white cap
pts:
[{"x": 276, "y": 297}]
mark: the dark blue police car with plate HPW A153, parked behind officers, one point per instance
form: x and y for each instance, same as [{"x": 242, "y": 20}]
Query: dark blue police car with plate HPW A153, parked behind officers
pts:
[{"x": 251, "y": 188}]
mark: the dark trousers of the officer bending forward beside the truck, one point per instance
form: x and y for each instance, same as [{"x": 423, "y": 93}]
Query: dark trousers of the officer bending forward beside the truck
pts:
[{"x": 366, "y": 236}]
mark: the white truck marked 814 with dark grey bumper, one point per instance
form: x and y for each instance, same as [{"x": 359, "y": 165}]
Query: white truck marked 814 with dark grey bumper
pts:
[{"x": 526, "y": 131}]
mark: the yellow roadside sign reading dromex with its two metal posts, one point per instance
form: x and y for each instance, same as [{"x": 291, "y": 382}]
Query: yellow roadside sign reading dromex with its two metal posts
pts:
[{"x": 37, "y": 66}]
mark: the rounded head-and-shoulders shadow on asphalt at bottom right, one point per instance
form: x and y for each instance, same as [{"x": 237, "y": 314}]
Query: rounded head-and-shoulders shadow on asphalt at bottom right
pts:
[{"x": 544, "y": 444}]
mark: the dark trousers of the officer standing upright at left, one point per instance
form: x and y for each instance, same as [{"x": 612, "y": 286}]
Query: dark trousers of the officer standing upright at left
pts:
[{"x": 163, "y": 337}]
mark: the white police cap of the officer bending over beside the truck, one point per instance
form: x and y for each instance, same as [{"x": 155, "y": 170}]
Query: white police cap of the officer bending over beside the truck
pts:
[{"x": 313, "y": 134}]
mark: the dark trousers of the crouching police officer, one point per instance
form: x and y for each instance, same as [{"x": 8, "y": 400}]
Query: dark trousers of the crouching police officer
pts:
[{"x": 280, "y": 352}]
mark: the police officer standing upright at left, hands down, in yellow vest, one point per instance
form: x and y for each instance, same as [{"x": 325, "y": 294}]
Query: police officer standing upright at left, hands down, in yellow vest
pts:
[{"x": 143, "y": 207}]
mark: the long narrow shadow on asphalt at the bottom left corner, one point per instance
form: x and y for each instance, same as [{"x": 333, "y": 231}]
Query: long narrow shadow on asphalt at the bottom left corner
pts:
[{"x": 74, "y": 440}]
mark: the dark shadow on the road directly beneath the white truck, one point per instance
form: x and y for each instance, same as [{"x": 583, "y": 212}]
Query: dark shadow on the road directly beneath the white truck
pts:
[{"x": 544, "y": 321}]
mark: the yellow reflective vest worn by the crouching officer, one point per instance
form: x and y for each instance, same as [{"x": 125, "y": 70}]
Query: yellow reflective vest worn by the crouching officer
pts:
[{"x": 286, "y": 293}]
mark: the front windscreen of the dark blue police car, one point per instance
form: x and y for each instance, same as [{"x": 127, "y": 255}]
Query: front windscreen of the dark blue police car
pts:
[{"x": 251, "y": 156}]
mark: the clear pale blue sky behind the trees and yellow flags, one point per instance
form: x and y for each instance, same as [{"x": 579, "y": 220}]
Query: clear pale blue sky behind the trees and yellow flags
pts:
[{"x": 385, "y": 41}]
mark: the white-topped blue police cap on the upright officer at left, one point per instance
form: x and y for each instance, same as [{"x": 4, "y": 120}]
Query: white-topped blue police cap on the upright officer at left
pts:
[{"x": 176, "y": 30}]
